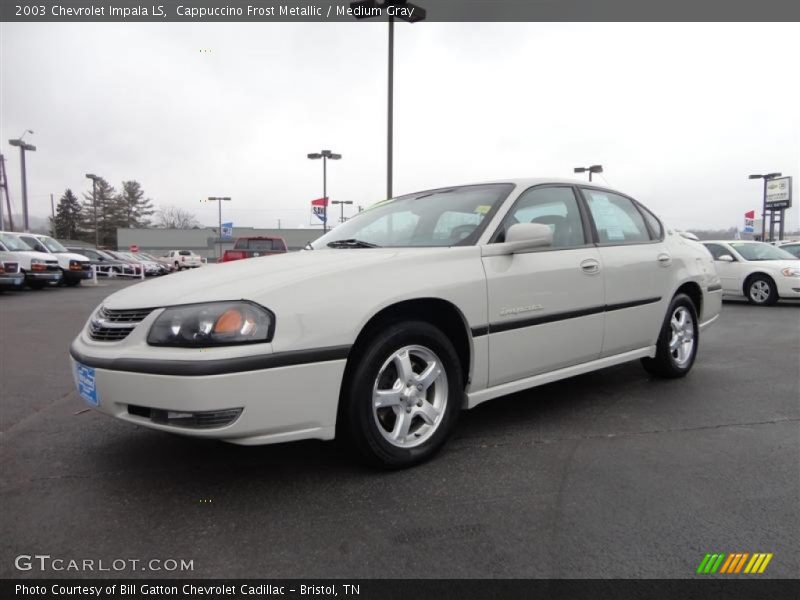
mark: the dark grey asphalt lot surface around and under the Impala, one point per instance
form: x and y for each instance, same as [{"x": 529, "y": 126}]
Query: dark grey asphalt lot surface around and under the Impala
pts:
[{"x": 610, "y": 474}]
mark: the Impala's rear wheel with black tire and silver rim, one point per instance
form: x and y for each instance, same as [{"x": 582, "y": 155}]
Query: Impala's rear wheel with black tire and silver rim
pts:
[{"x": 677, "y": 343}]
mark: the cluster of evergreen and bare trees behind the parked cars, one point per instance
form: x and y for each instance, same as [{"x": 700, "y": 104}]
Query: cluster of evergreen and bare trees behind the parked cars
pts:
[{"x": 107, "y": 209}]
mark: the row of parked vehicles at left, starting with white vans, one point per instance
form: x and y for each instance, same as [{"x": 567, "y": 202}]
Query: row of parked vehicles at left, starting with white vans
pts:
[{"x": 36, "y": 261}]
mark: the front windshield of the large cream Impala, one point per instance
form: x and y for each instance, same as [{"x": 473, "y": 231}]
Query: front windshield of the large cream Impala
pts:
[{"x": 443, "y": 217}]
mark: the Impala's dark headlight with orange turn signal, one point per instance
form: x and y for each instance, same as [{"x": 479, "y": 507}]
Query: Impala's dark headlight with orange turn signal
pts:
[{"x": 212, "y": 324}]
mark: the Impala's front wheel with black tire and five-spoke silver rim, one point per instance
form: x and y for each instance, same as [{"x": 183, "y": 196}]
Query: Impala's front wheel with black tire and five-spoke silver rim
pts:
[{"x": 403, "y": 396}]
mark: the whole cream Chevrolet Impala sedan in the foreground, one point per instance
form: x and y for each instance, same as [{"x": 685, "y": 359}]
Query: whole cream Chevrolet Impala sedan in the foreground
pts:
[{"x": 397, "y": 319}]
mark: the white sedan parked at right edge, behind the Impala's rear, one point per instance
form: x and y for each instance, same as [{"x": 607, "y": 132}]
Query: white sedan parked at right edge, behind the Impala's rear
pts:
[{"x": 760, "y": 272}]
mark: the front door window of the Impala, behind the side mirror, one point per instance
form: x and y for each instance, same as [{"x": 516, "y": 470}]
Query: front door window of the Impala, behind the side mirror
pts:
[{"x": 555, "y": 207}]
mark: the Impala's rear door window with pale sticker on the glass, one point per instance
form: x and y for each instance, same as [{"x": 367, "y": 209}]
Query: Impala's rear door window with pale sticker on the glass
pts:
[{"x": 616, "y": 218}]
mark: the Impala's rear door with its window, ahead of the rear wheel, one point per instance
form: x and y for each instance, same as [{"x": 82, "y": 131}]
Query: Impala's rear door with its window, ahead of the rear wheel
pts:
[{"x": 637, "y": 267}]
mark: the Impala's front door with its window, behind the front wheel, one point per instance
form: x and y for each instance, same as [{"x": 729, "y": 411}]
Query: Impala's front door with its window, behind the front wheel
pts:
[{"x": 545, "y": 307}]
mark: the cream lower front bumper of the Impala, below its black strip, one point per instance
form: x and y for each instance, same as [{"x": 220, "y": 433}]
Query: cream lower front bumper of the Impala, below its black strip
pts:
[{"x": 278, "y": 404}]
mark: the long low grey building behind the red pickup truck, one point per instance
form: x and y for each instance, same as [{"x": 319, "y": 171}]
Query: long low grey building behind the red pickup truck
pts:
[{"x": 205, "y": 241}]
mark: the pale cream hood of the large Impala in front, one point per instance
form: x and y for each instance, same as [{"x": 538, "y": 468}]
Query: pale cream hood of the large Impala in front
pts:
[{"x": 254, "y": 277}]
